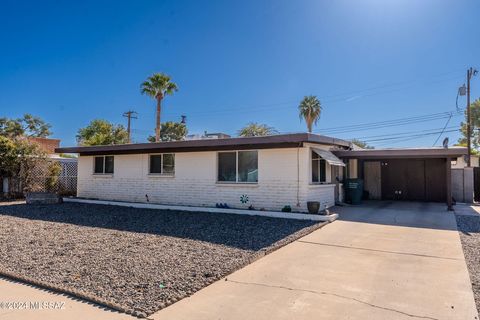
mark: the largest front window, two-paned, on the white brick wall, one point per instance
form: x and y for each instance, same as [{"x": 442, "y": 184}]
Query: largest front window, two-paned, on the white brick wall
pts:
[{"x": 238, "y": 167}]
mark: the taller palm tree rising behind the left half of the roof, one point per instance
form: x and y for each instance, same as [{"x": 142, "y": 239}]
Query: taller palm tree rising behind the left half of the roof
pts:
[{"x": 158, "y": 86}]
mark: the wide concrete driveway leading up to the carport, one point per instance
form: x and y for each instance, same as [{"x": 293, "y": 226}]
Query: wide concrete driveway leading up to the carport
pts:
[{"x": 380, "y": 261}]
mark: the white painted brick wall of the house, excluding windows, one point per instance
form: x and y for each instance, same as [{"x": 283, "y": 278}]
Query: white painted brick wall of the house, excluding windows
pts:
[{"x": 195, "y": 183}]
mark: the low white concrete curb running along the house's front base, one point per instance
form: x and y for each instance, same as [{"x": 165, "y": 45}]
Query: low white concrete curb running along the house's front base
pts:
[{"x": 271, "y": 214}]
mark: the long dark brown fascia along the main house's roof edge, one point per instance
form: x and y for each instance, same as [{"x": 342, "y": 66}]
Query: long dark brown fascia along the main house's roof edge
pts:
[{"x": 268, "y": 142}]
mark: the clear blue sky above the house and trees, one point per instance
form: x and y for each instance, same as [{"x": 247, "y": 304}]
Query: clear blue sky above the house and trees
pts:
[{"x": 240, "y": 61}]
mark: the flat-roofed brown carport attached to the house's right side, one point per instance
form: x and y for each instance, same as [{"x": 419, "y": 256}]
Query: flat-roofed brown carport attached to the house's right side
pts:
[{"x": 404, "y": 174}]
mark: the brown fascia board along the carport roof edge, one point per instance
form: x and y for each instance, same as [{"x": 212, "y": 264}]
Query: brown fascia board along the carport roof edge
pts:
[{"x": 401, "y": 153}]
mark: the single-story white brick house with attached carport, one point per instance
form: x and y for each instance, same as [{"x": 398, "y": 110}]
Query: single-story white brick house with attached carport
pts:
[{"x": 264, "y": 172}]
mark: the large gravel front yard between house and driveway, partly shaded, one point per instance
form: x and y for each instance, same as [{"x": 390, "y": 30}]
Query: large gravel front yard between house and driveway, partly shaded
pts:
[{"x": 140, "y": 259}]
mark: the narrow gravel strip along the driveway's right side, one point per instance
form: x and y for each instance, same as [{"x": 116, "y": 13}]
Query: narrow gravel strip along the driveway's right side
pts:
[{"x": 469, "y": 229}]
